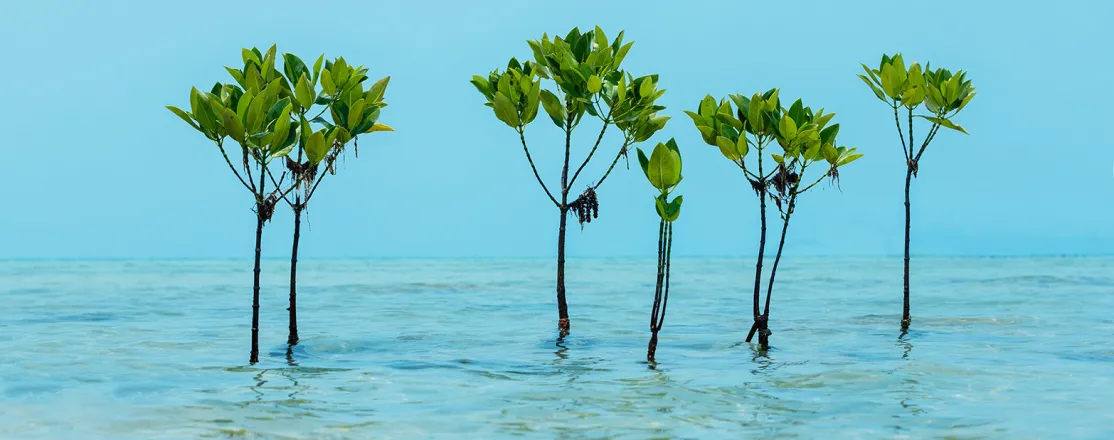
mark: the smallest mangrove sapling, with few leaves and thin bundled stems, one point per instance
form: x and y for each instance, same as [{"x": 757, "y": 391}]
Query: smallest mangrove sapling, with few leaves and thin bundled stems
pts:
[{"x": 663, "y": 171}]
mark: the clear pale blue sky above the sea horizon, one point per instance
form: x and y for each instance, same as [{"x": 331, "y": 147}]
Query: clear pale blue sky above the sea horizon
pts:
[{"x": 96, "y": 168}]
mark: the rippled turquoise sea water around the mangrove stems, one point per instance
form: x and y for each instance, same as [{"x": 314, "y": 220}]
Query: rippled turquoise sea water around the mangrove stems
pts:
[{"x": 1000, "y": 348}]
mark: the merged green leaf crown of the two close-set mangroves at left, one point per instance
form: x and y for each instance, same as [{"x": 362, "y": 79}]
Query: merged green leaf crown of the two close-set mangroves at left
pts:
[{"x": 266, "y": 110}]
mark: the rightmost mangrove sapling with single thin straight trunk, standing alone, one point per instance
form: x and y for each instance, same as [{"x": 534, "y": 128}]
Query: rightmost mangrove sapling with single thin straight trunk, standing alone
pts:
[{"x": 943, "y": 94}]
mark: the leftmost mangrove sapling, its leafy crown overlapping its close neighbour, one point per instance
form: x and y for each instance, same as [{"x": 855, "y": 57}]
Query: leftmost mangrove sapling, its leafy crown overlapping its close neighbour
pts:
[{"x": 258, "y": 118}]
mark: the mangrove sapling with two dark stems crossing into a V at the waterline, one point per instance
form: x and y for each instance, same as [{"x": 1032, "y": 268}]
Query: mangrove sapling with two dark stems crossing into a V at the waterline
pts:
[{"x": 805, "y": 139}]
